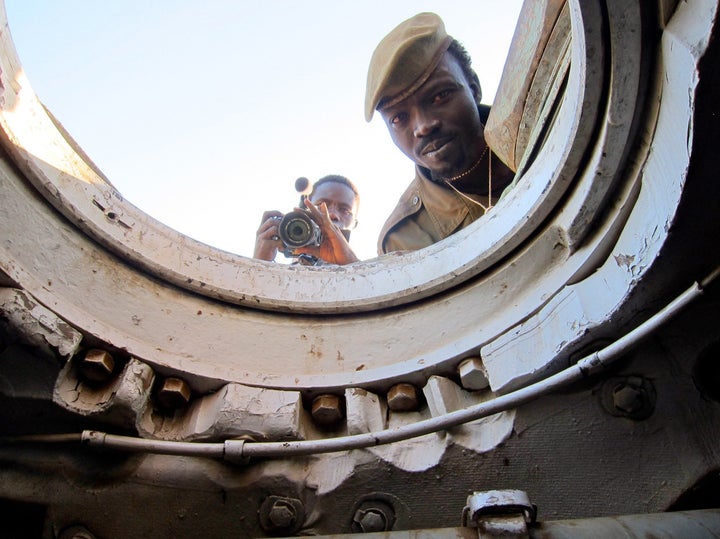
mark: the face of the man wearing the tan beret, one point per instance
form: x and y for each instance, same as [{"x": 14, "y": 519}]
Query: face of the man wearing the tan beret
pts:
[{"x": 438, "y": 126}]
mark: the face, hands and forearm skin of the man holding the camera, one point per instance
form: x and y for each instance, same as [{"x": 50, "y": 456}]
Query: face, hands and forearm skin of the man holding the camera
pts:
[{"x": 333, "y": 207}]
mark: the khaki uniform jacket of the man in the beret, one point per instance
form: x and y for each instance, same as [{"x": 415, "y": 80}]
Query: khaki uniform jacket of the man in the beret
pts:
[{"x": 425, "y": 214}]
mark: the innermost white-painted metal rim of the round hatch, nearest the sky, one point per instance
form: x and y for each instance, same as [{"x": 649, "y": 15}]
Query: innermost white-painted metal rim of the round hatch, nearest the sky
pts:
[{"x": 76, "y": 189}]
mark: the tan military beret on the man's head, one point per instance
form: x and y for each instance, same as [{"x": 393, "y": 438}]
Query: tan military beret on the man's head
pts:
[{"x": 404, "y": 60}]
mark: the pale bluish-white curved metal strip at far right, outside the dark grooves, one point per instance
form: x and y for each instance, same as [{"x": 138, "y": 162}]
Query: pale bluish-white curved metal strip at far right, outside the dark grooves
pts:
[{"x": 527, "y": 351}]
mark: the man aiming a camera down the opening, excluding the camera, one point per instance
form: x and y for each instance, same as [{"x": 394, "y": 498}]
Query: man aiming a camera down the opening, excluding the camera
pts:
[{"x": 332, "y": 205}]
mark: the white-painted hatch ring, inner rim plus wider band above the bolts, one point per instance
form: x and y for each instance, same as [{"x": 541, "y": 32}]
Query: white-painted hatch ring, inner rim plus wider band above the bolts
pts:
[{"x": 162, "y": 324}]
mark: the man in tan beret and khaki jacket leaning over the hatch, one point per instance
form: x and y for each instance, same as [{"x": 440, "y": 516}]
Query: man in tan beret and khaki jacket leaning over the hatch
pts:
[{"x": 421, "y": 82}]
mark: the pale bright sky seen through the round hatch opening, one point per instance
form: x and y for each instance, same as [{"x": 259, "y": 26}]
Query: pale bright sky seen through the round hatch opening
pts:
[{"x": 203, "y": 114}]
